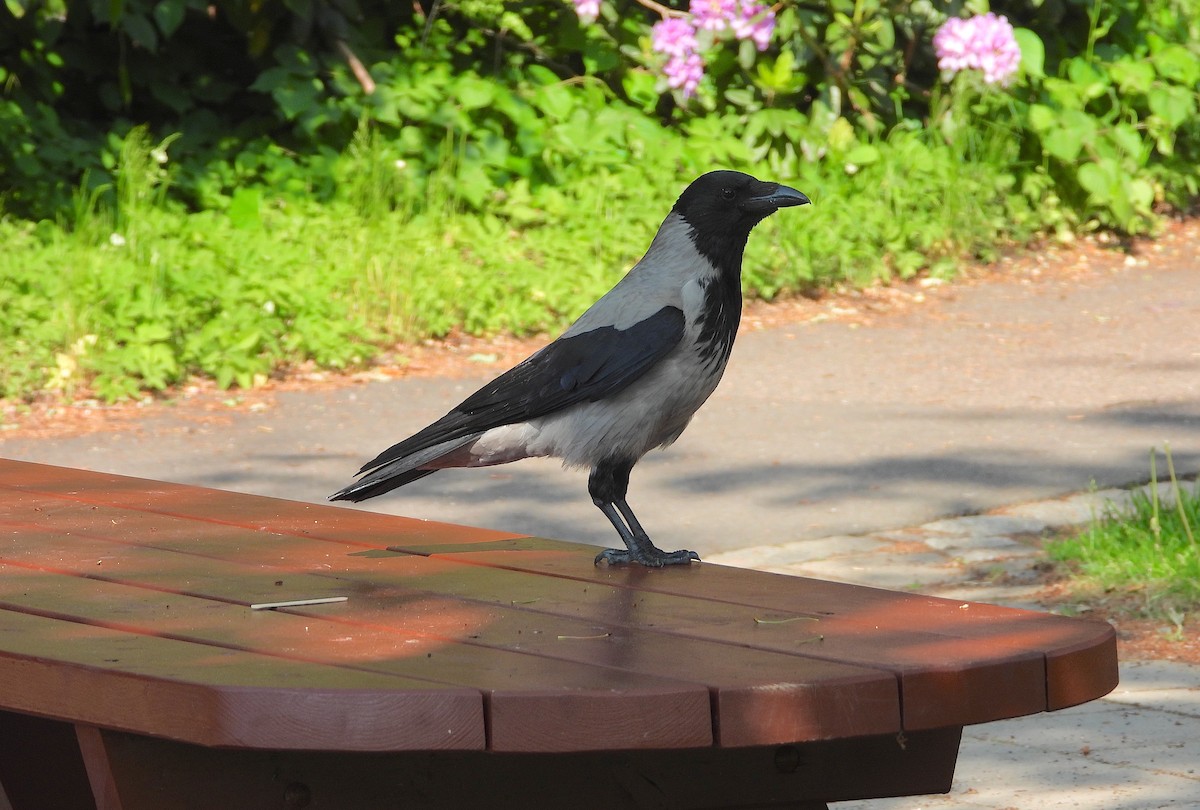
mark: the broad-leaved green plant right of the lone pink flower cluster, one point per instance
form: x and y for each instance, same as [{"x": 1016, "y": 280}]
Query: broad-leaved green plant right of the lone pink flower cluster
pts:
[{"x": 1114, "y": 127}]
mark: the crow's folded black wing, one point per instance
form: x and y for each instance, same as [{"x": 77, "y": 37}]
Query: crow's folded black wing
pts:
[{"x": 579, "y": 369}]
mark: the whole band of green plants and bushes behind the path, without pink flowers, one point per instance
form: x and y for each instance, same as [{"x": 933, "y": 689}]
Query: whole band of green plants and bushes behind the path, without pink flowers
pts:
[{"x": 211, "y": 189}]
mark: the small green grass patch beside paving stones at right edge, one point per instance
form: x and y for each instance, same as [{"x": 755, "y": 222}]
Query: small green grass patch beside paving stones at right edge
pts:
[{"x": 1149, "y": 551}]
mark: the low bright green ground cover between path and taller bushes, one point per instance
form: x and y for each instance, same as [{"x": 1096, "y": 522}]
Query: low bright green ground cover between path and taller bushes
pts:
[{"x": 142, "y": 296}]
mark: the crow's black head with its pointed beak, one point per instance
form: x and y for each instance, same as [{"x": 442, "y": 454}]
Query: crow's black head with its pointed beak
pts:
[{"x": 722, "y": 208}]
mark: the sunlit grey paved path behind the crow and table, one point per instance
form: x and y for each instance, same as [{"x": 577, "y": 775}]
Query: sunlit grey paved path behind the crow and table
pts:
[{"x": 987, "y": 395}]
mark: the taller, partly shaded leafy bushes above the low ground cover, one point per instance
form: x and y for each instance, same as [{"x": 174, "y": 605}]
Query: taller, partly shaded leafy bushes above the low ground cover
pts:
[{"x": 503, "y": 93}]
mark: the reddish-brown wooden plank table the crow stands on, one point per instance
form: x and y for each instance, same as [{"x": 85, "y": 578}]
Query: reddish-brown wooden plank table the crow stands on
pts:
[{"x": 466, "y": 668}]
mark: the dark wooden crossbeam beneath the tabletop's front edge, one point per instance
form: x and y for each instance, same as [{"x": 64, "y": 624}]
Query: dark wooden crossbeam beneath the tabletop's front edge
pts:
[{"x": 154, "y": 775}]
